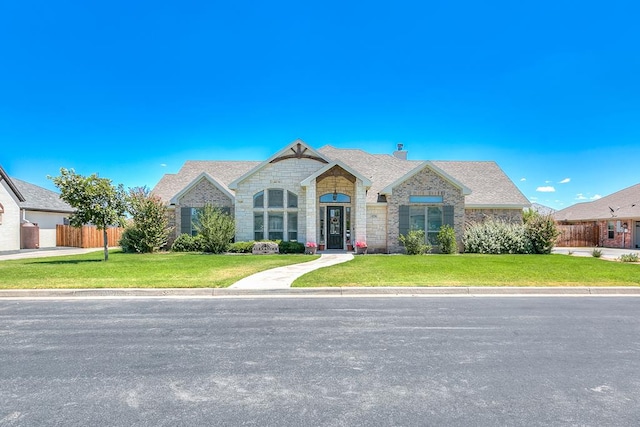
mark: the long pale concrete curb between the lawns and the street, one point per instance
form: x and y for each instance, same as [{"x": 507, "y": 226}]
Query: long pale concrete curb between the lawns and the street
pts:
[{"x": 302, "y": 292}]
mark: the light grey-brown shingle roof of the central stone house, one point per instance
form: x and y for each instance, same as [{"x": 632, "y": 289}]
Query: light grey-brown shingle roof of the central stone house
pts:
[{"x": 489, "y": 185}]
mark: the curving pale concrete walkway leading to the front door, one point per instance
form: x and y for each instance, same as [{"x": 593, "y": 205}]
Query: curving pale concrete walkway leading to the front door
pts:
[{"x": 283, "y": 277}]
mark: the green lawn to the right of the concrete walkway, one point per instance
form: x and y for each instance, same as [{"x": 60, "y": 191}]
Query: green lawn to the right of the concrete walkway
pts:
[{"x": 474, "y": 270}]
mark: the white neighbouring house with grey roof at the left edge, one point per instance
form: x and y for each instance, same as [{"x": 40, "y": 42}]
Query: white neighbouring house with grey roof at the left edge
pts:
[{"x": 23, "y": 205}]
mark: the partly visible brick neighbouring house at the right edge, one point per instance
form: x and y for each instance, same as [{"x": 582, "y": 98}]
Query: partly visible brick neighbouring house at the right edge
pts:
[{"x": 615, "y": 218}]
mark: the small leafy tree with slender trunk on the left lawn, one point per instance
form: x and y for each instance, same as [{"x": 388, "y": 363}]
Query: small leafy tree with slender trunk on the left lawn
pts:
[{"x": 95, "y": 199}]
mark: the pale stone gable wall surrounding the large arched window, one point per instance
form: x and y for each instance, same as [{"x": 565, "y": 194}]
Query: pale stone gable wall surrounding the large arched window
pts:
[{"x": 285, "y": 174}]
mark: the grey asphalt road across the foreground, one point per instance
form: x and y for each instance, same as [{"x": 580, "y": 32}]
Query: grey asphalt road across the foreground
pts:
[{"x": 446, "y": 361}]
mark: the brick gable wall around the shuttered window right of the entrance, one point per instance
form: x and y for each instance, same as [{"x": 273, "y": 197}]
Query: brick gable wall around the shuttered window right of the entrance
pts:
[{"x": 425, "y": 182}]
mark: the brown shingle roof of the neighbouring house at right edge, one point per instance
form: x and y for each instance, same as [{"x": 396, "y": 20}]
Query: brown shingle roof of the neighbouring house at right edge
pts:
[{"x": 622, "y": 204}]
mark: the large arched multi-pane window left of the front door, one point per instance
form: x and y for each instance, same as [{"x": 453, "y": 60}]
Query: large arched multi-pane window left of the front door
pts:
[{"x": 271, "y": 219}]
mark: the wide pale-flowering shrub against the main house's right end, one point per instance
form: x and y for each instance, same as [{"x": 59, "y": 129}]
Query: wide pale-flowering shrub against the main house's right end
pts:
[{"x": 496, "y": 237}]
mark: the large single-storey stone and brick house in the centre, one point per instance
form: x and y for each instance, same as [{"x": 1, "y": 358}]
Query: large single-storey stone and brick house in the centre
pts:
[{"x": 336, "y": 197}]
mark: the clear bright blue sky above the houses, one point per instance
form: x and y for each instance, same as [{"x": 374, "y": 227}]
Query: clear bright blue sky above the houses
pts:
[{"x": 130, "y": 90}]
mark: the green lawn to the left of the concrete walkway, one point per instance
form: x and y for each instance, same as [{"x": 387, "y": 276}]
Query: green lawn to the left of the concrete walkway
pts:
[{"x": 162, "y": 270}]
